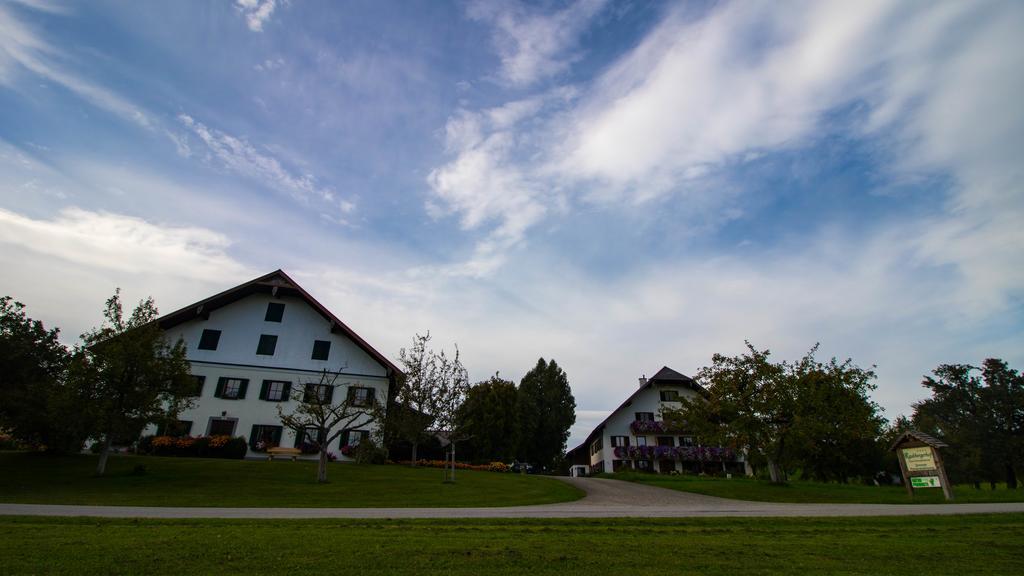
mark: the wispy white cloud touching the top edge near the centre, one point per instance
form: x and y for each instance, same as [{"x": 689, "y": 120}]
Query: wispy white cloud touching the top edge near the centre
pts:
[{"x": 535, "y": 46}]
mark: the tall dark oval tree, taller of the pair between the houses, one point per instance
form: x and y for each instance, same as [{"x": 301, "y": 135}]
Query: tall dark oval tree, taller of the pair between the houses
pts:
[{"x": 546, "y": 410}]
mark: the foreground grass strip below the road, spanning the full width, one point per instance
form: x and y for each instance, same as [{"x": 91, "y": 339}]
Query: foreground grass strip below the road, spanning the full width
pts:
[{"x": 969, "y": 545}]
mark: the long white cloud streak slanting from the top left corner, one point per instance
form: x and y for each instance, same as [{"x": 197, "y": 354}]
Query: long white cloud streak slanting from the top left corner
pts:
[{"x": 23, "y": 50}]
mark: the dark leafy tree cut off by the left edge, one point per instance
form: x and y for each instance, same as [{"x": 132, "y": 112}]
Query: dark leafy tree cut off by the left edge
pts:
[{"x": 36, "y": 404}]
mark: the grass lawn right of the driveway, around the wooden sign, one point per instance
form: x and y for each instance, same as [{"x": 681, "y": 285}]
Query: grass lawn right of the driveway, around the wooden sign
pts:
[{"x": 799, "y": 491}]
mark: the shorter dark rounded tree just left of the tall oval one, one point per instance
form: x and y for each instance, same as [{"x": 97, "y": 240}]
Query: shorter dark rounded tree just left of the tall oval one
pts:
[{"x": 489, "y": 420}]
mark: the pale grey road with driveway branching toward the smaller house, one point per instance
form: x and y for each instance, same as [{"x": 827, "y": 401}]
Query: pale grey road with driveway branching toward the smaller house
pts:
[{"x": 606, "y": 499}]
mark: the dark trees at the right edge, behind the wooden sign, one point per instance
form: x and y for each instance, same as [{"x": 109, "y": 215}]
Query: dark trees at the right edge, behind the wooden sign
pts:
[{"x": 980, "y": 415}]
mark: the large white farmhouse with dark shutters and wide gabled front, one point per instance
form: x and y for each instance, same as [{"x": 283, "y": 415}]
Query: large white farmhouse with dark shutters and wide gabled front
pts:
[{"x": 265, "y": 344}]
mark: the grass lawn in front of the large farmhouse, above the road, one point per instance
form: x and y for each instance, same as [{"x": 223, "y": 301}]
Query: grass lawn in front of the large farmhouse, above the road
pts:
[{"x": 191, "y": 482}]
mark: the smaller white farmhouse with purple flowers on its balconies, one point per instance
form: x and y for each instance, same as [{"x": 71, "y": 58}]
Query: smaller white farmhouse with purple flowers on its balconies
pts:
[{"x": 635, "y": 437}]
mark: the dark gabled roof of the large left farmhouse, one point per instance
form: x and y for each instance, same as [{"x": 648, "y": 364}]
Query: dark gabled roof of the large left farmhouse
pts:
[{"x": 279, "y": 284}]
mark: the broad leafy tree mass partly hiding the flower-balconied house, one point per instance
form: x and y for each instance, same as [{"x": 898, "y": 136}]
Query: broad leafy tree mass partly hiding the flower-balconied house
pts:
[{"x": 805, "y": 416}]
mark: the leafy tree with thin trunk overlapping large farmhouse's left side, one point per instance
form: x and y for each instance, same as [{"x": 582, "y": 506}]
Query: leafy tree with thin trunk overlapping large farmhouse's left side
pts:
[{"x": 130, "y": 374}]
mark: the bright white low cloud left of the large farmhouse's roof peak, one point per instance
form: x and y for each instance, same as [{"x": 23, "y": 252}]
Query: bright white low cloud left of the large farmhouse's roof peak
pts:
[{"x": 66, "y": 267}]
